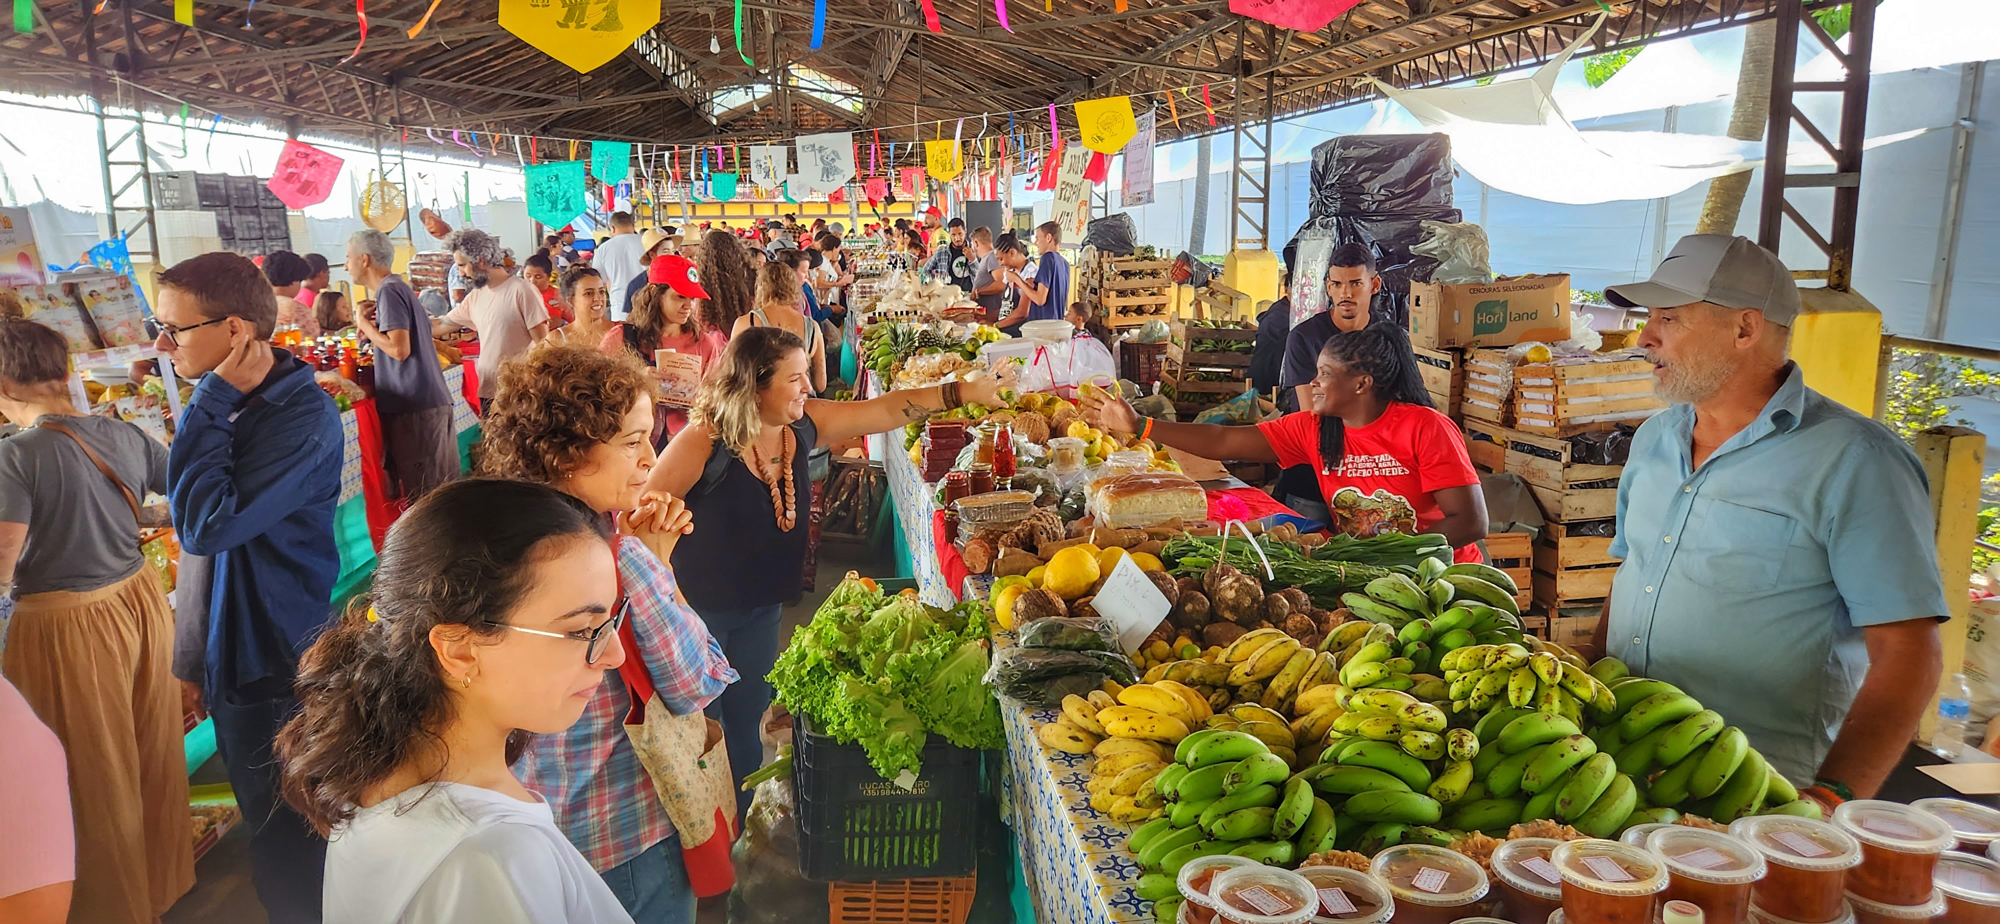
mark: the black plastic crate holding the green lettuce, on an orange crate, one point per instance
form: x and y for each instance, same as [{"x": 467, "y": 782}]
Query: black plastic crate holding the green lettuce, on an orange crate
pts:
[{"x": 857, "y": 827}]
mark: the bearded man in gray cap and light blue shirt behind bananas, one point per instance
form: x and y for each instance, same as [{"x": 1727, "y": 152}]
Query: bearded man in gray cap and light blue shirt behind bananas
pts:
[{"x": 1779, "y": 549}]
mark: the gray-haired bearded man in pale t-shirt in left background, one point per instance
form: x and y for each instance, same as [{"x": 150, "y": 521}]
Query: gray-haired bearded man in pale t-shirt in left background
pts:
[{"x": 501, "y": 309}]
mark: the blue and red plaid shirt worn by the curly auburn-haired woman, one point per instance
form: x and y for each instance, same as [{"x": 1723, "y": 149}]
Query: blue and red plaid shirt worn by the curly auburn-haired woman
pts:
[{"x": 591, "y": 777}]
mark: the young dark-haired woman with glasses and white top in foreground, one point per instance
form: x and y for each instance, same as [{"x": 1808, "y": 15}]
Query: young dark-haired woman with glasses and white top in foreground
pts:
[{"x": 495, "y": 613}]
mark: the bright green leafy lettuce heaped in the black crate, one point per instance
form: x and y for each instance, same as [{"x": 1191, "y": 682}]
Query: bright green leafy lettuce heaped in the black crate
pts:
[{"x": 885, "y": 673}]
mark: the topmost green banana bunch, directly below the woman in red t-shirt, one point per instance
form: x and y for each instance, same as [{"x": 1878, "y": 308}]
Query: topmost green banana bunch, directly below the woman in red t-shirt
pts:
[{"x": 1441, "y": 609}]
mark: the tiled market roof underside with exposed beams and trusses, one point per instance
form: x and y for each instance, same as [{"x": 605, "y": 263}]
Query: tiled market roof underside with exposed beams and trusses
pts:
[{"x": 283, "y": 63}]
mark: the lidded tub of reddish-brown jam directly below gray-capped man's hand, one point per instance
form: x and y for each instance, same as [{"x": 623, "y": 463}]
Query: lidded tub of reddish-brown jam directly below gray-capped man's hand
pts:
[{"x": 1809, "y": 863}]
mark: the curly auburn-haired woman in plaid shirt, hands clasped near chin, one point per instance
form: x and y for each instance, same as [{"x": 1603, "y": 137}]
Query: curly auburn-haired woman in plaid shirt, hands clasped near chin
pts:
[{"x": 579, "y": 421}]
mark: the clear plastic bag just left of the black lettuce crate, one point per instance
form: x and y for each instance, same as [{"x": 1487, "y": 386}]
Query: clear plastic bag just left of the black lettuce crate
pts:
[{"x": 769, "y": 887}]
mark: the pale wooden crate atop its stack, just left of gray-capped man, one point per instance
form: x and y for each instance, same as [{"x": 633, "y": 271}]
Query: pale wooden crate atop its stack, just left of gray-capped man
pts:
[{"x": 1581, "y": 395}]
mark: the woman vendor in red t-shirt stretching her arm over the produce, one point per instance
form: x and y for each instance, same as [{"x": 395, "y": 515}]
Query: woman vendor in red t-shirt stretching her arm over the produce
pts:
[{"x": 1371, "y": 427}]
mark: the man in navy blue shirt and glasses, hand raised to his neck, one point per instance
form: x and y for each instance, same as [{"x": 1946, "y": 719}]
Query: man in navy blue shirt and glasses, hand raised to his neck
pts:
[{"x": 253, "y": 479}]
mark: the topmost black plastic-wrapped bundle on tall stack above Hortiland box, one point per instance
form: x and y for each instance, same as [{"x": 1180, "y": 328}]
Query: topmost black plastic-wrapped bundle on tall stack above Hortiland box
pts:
[{"x": 1381, "y": 173}]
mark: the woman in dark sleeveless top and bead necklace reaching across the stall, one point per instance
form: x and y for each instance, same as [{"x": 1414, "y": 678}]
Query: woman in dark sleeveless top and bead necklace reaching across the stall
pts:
[{"x": 743, "y": 469}]
